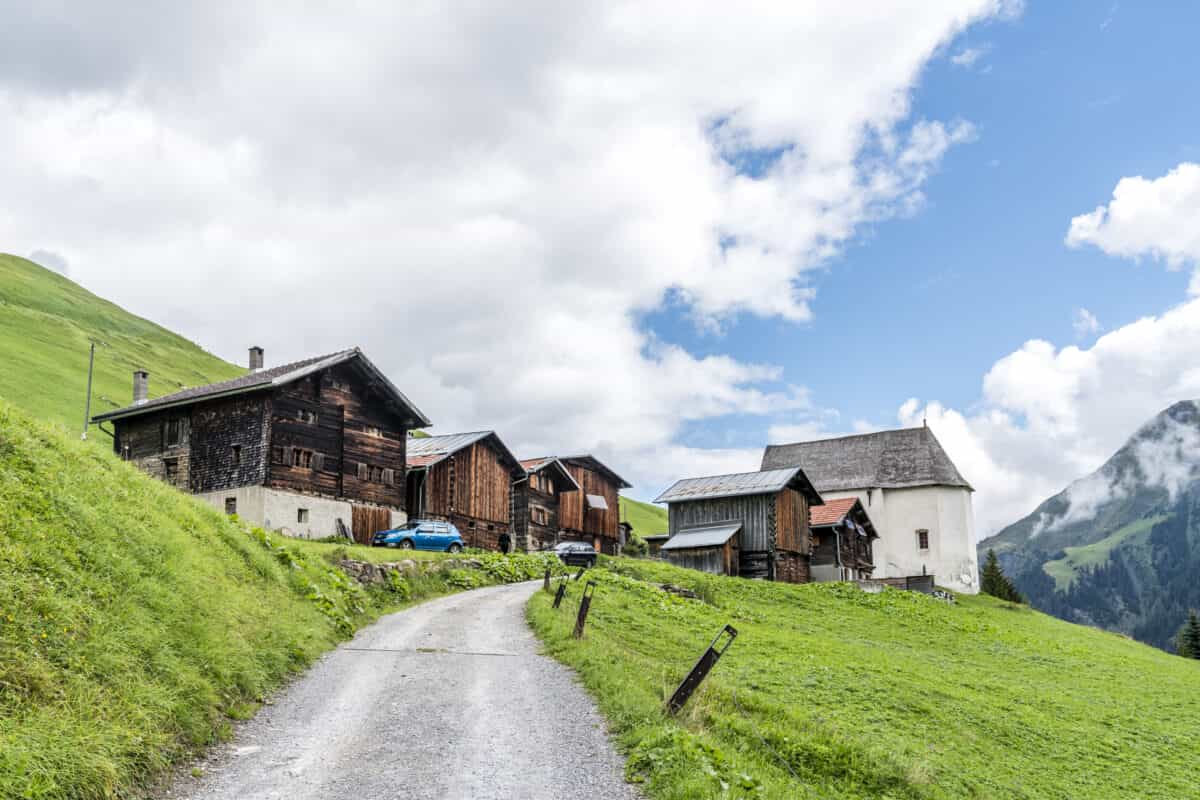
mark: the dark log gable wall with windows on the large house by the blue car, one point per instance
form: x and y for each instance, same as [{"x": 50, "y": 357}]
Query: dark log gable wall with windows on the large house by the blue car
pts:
[{"x": 331, "y": 435}]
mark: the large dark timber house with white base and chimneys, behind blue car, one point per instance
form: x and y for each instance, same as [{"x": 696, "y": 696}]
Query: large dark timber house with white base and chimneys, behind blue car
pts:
[{"x": 314, "y": 448}]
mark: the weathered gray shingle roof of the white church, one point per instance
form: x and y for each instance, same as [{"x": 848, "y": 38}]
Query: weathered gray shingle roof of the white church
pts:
[{"x": 886, "y": 460}]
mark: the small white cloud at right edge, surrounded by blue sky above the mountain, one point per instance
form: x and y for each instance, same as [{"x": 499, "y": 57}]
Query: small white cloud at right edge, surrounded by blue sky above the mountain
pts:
[{"x": 1157, "y": 219}]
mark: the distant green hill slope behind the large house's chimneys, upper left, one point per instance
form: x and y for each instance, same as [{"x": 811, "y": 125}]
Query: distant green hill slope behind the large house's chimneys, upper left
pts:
[{"x": 46, "y": 322}]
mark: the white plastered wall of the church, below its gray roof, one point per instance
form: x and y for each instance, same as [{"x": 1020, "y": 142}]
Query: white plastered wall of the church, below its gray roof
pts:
[{"x": 945, "y": 512}]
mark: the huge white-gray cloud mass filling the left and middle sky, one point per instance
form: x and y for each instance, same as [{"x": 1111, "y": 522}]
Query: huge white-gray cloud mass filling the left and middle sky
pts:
[{"x": 484, "y": 201}]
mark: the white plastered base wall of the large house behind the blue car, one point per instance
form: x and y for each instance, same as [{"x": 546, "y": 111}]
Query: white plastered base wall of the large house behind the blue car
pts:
[{"x": 278, "y": 510}]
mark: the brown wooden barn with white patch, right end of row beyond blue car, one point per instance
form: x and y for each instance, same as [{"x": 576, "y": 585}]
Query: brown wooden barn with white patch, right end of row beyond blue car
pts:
[{"x": 593, "y": 514}]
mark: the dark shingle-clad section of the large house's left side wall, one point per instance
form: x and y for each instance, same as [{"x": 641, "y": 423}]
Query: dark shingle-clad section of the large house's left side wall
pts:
[{"x": 229, "y": 443}]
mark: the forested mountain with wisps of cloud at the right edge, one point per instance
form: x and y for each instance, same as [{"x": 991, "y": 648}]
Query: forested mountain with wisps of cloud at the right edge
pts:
[{"x": 1119, "y": 549}]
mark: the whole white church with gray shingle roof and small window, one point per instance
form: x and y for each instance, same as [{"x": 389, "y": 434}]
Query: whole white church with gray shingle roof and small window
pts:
[{"x": 913, "y": 492}]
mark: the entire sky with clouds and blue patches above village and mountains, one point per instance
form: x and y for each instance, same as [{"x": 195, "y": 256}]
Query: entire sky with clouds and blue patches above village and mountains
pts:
[{"x": 665, "y": 239}]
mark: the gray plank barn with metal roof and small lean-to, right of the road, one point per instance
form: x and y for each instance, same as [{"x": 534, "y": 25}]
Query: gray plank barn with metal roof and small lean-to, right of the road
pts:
[{"x": 767, "y": 512}]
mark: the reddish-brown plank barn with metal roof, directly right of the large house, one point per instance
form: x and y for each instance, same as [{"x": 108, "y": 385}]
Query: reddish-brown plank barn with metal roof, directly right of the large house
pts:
[{"x": 466, "y": 479}]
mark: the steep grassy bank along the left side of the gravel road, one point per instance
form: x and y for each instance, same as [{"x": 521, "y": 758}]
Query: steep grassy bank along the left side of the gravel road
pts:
[{"x": 136, "y": 622}]
